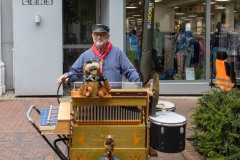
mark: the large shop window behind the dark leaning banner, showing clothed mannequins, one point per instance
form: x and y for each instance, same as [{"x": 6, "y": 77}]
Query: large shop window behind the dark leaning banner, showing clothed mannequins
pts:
[{"x": 178, "y": 41}]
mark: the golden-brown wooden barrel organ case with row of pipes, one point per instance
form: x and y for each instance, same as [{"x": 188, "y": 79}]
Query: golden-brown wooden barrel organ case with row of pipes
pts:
[{"x": 123, "y": 115}]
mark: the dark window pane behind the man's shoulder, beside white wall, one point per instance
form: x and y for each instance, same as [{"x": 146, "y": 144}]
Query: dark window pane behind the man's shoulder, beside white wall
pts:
[{"x": 78, "y": 18}]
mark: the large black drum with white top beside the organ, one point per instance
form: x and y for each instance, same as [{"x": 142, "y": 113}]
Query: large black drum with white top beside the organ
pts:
[{"x": 167, "y": 132}]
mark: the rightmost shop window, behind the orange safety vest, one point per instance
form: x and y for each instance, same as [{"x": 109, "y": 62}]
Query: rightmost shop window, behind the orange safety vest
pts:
[{"x": 225, "y": 27}]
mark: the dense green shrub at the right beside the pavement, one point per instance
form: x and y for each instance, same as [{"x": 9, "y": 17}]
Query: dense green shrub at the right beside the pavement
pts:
[{"x": 216, "y": 121}]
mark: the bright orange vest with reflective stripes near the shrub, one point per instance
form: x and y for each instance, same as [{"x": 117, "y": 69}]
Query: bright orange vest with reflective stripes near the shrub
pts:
[{"x": 223, "y": 81}]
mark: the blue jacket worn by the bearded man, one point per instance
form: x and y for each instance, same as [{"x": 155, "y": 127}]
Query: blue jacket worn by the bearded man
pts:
[{"x": 115, "y": 65}]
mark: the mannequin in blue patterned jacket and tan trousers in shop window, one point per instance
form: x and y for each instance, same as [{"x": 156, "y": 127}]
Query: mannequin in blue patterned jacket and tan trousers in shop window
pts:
[{"x": 183, "y": 50}]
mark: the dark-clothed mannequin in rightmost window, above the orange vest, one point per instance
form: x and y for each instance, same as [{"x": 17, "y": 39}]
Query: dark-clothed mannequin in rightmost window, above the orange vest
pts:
[{"x": 219, "y": 41}]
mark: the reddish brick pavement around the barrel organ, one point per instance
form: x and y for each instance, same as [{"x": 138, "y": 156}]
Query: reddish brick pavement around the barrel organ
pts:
[{"x": 20, "y": 141}]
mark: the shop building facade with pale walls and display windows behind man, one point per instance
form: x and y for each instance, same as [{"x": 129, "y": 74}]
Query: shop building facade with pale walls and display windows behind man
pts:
[{"x": 42, "y": 38}]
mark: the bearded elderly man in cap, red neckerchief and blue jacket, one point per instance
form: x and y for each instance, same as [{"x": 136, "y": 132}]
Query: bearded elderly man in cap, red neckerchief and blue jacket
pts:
[{"x": 113, "y": 61}]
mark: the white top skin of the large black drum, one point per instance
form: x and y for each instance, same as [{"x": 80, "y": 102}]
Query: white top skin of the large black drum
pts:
[{"x": 168, "y": 119}]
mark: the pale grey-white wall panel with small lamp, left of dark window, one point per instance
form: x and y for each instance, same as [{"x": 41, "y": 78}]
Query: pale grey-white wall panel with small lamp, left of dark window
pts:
[{"x": 37, "y": 48}]
